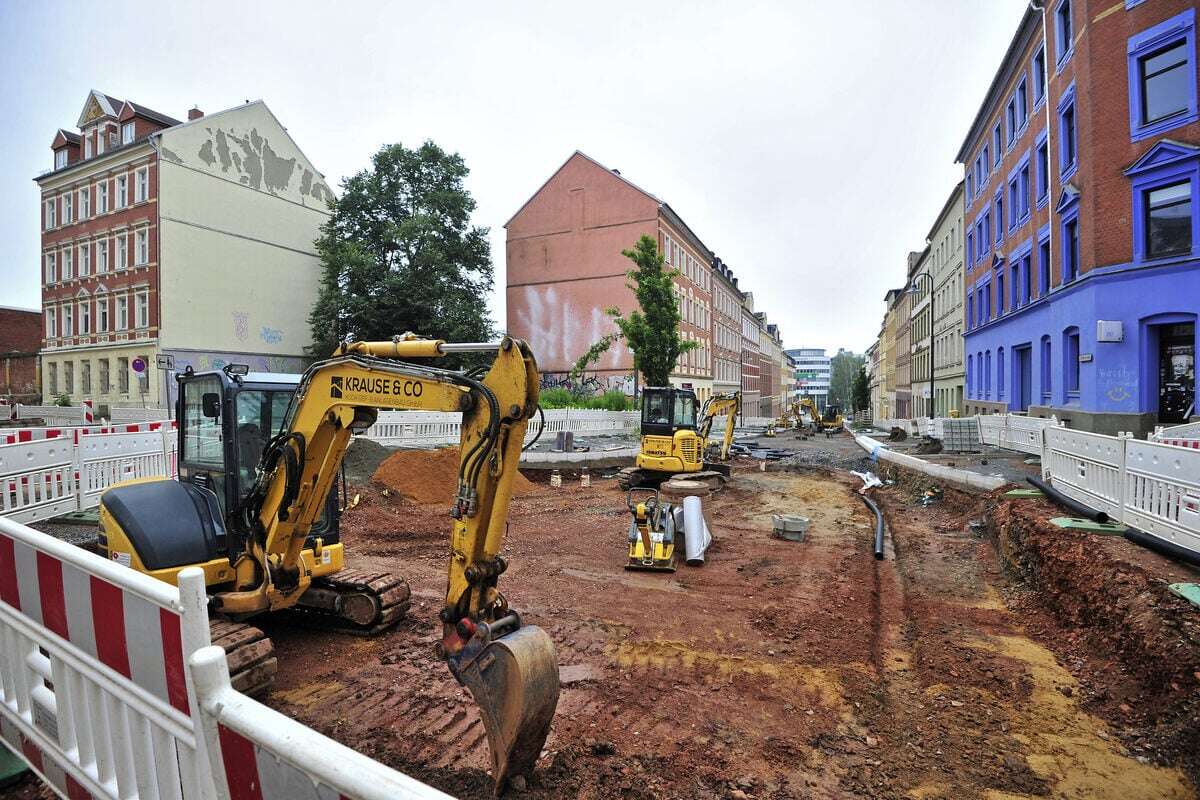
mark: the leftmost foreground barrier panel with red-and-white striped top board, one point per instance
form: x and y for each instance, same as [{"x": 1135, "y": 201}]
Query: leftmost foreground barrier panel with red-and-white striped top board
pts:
[{"x": 94, "y": 688}]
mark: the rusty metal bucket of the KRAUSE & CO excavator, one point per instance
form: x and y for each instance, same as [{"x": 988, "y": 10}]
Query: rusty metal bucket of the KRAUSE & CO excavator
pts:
[{"x": 514, "y": 679}]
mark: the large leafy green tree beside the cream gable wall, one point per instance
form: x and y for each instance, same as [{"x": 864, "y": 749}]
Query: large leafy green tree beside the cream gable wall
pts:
[{"x": 399, "y": 254}]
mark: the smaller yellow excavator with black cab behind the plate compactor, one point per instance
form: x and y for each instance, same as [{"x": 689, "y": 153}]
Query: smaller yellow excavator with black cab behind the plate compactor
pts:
[{"x": 675, "y": 443}]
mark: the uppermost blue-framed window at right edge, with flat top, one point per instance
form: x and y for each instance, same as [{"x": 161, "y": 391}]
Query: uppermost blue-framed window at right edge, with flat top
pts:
[{"x": 1163, "y": 77}]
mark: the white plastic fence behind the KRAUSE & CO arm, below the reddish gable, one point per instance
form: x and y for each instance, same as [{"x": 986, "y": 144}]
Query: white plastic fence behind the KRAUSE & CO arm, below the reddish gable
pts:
[{"x": 435, "y": 429}]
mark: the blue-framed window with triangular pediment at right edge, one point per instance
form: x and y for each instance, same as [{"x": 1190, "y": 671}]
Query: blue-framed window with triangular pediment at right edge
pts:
[{"x": 1166, "y": 184}]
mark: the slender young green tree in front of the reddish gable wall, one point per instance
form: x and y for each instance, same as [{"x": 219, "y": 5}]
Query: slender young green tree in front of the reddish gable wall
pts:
[{"x": 652, "y": 330}]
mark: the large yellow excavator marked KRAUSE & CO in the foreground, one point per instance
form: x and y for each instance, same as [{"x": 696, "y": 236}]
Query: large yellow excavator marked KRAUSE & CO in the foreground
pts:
[{"x": 255, "y": 508}]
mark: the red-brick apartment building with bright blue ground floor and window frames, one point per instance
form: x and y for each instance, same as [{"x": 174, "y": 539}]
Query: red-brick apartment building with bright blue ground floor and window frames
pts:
[{"x": 1083, "y": 246}]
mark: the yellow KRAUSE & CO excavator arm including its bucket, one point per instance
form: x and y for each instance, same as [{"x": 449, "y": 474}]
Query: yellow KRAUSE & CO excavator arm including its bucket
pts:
[{"x": 511, "y": 669}]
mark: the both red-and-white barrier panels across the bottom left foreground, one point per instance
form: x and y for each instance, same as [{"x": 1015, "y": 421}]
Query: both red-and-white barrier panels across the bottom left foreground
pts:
[{"x": 110, "y": 689}]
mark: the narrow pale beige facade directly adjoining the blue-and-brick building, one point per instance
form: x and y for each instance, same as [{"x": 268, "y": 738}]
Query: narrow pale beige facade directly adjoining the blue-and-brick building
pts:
[{"x": 946, "y": 255}]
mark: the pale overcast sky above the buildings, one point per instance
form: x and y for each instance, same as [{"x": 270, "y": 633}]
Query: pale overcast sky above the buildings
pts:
[{"x": 809, "y": 145}]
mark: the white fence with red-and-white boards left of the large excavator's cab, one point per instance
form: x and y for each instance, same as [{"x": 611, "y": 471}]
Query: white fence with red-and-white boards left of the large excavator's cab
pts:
[{"x": 50, "y": 472}]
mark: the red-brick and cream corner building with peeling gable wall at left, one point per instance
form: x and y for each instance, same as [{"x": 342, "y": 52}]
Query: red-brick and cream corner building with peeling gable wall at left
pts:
[{"x": 185, "y": 239}]
